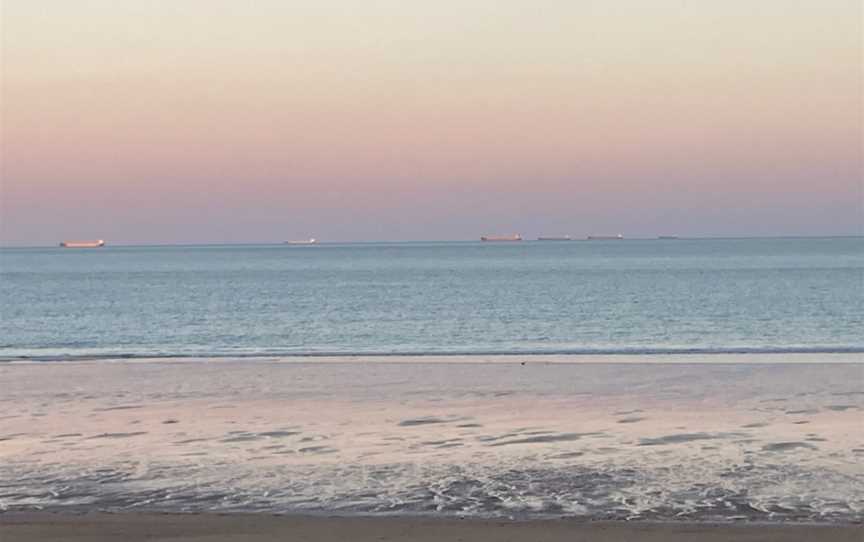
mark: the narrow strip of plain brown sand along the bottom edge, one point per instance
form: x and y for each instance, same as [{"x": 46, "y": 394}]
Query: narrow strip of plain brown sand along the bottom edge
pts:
[{"x": 34, "y": 527}]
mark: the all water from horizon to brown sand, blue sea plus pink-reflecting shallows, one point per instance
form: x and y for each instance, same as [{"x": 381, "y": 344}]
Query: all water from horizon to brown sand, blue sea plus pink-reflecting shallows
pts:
[{"x": 698, "y": 380}]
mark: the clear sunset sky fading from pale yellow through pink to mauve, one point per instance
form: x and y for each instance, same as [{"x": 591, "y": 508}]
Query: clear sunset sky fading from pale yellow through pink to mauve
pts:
[{"x": 208, "y": 121}]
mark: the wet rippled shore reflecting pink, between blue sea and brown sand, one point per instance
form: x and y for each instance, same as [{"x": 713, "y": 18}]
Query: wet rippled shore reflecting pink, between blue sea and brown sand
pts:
[{"x": 622, "y": 440}]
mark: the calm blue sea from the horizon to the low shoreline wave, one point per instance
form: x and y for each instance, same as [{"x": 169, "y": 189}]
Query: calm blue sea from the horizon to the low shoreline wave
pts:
[{"x": 658, "y": 296}]
